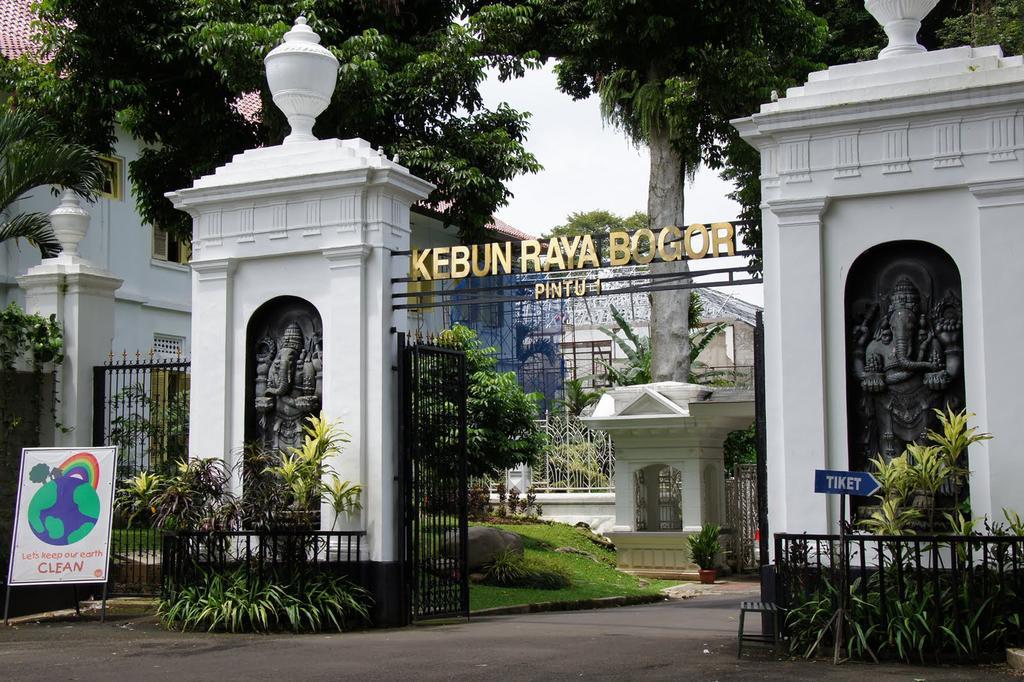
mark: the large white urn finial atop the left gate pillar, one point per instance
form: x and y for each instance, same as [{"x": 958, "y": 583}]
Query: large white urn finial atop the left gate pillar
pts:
[{"x": 302, "y": 74}]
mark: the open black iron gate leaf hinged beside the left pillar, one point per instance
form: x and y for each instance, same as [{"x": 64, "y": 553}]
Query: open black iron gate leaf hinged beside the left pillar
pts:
[{"x": 433, "y": 433}]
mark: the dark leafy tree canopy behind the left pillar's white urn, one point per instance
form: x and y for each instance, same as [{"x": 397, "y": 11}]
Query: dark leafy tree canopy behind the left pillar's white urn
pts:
[{"x": 169, "y": 72}]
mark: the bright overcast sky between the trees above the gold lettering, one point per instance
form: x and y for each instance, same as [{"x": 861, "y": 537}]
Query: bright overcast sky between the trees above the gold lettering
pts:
[{"x": 589, "y": 165}]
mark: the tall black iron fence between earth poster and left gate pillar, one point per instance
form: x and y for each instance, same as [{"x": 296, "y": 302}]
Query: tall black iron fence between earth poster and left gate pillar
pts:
[{"x": 141, "y": 405}]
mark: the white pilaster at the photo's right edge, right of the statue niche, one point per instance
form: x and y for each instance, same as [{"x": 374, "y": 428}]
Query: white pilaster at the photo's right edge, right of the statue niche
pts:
[{"x": 997, "y": 465}]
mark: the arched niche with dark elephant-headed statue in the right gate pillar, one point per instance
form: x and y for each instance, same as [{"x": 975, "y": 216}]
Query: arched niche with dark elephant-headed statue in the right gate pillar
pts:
[{"x": 905, "y": 347}]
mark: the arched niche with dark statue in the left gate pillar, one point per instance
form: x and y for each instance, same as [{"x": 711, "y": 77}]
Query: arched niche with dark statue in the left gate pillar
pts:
[{"x": 284, "y": 371}]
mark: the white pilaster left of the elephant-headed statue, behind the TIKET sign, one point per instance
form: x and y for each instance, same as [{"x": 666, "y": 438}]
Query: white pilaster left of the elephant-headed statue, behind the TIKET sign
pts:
[{"x": 800, "y": 358}]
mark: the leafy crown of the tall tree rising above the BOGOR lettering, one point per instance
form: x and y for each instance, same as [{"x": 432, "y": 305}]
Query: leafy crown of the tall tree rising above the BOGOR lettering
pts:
[{"x": 670, "y": 74}]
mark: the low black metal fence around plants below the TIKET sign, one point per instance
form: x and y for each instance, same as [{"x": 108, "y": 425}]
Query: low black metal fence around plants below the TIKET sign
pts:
[{"x": 943, "y": 596}]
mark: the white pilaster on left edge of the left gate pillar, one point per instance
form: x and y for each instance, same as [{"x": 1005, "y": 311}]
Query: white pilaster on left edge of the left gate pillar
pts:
[{"x": 210, "y": 403}]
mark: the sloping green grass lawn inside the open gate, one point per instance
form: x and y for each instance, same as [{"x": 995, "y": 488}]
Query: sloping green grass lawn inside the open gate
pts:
[{"x": 590, "y": 579}]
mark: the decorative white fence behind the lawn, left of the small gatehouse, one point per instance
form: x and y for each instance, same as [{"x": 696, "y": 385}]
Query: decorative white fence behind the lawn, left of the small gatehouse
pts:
[{"x": 577, "y": 460}]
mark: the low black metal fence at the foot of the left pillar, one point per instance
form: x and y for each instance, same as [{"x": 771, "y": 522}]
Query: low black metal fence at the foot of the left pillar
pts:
[{"x": 285, "y": 556}]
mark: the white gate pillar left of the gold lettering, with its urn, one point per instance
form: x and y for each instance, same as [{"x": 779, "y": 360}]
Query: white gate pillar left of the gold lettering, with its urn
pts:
[{"x": 315, "y": 221}]
